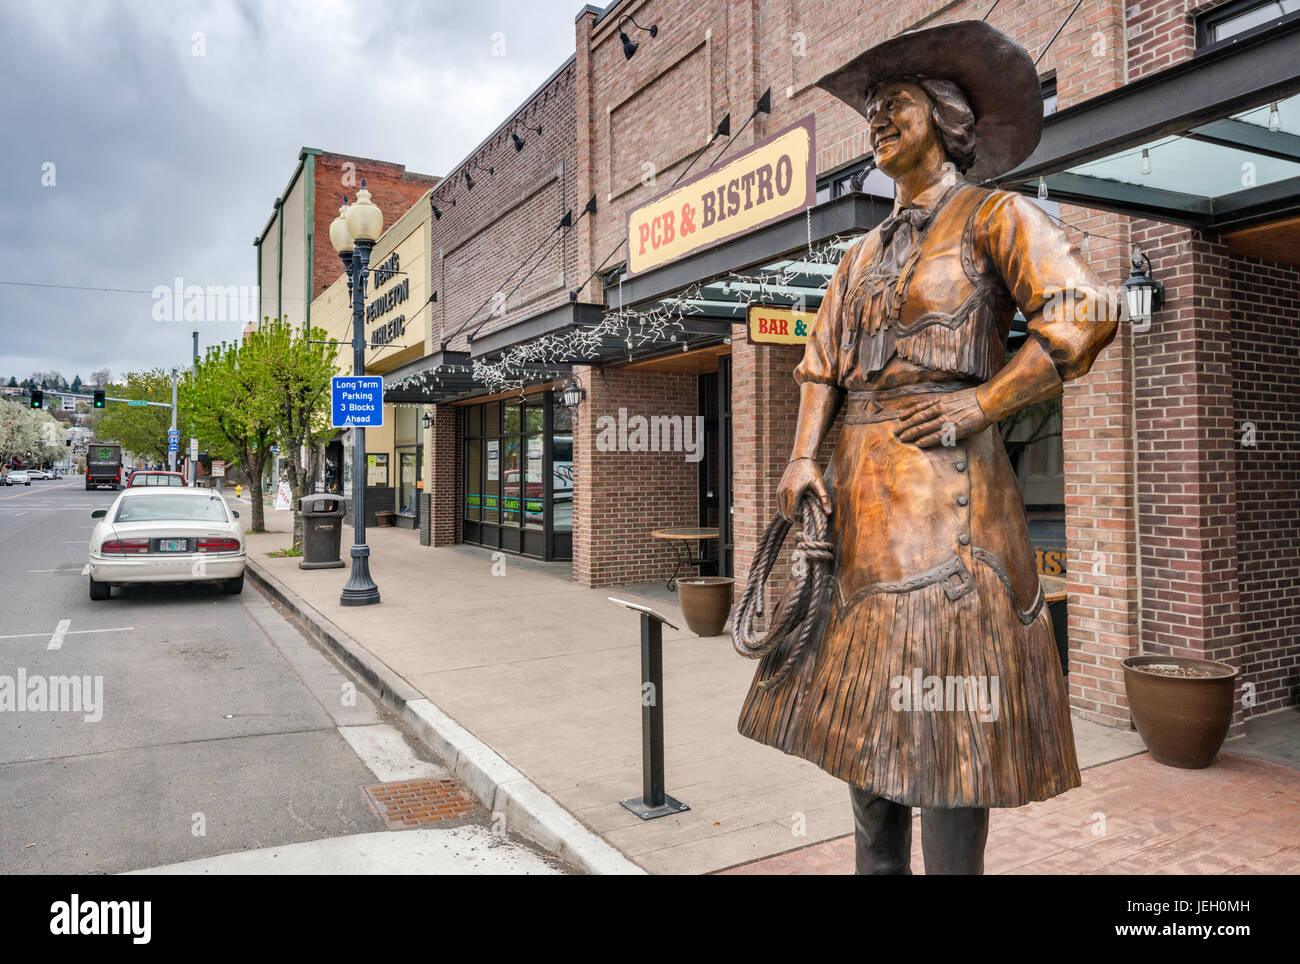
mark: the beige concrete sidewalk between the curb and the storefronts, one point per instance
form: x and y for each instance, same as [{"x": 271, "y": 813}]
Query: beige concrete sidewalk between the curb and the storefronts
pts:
[{"x": 549, "y": 674}]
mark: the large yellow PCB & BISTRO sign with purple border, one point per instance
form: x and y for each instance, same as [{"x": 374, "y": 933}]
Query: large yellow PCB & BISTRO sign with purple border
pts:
[{"x": 773, "y": 180}]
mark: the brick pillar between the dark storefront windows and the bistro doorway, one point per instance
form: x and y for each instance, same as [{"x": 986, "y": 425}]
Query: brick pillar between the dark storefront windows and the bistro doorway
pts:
[{"x": 622, "y": 497}]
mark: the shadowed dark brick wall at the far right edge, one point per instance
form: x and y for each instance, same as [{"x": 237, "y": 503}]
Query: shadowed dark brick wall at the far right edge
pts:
[{"x": 1266, "y": 311}]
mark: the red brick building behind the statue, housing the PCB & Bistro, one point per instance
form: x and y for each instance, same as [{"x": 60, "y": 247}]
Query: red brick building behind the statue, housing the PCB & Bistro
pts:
[{"x": 1172, "y": 488}]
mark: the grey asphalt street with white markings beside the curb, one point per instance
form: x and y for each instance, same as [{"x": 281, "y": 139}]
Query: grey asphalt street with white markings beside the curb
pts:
[{"x": 222, "y": 736}]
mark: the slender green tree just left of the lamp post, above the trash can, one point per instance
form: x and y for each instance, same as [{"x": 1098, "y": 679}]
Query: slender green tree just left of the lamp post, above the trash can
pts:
[{"x": 298, "y": 366}]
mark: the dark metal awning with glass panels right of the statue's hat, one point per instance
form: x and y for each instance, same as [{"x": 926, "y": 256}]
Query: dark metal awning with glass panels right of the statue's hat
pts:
[{"x": 1195, "y": 145}]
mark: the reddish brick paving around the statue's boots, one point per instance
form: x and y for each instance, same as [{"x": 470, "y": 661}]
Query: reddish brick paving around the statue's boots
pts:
[{"x": 1133, "y": 817}]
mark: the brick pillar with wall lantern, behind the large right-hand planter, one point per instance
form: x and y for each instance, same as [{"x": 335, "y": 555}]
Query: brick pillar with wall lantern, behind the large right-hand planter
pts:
[{"x": 1186, "y": 489}]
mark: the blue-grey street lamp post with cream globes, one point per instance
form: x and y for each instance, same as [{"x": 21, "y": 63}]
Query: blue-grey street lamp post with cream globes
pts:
[{"x": 353, "y": 235}]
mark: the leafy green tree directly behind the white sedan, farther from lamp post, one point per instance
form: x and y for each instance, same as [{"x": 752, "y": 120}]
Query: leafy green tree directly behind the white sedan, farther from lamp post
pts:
[{"x": 231, "y": 406}]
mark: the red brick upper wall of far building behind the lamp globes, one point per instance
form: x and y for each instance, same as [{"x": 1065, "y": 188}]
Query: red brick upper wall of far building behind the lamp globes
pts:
[{"x": 392, "y": 188}]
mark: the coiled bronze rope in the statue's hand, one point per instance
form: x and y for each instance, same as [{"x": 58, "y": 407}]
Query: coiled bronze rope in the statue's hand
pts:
[{"x": 807, "y": 600}]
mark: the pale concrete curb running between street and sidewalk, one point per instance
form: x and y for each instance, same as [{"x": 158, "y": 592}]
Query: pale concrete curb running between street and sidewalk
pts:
[{"x": 486, "y": 774}]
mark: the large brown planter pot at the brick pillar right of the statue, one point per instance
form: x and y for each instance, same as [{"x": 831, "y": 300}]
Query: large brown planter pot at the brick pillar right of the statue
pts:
[{"x": 1181, "y": 719}]
